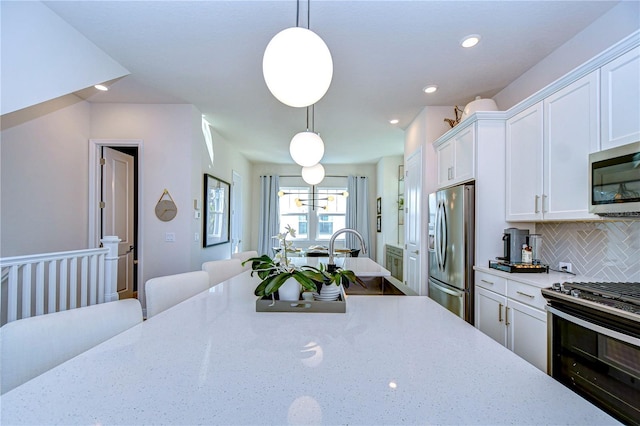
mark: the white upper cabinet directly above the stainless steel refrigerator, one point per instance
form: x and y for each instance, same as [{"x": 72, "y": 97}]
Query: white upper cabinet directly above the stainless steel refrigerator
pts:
[{"x": 456, "y": 157}]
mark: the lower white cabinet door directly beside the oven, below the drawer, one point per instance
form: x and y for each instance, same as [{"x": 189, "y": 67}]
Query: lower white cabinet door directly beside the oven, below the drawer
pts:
[{"x": 527, "y": 328}]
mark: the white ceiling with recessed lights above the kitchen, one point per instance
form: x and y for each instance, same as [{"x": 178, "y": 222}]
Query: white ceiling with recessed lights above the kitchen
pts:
[{"x": 209, "y": 54}]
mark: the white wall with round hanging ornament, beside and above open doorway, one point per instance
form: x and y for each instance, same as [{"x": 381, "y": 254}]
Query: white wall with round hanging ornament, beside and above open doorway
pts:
[{"x": 167, "y": 136}]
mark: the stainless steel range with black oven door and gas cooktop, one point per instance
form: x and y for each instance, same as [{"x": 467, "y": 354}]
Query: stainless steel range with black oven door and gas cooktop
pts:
[{"x": 594, "y": 343}]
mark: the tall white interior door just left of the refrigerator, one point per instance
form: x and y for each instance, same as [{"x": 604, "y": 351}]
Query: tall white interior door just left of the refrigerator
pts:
[{"x": 413, "y": 200}]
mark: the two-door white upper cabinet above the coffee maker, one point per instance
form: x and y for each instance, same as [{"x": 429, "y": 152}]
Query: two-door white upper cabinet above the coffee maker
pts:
[{"x": 548, "y": 148}]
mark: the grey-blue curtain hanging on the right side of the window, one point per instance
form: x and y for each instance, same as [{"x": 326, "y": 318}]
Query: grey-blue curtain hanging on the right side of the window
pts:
[{"x": 358, "y": 212}]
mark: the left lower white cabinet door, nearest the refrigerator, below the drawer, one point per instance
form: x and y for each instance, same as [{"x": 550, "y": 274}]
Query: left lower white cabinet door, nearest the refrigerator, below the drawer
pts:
[{"x": 490, "y": 314}]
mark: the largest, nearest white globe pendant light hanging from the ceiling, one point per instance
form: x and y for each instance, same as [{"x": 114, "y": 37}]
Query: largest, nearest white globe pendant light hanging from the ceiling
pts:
[{"x": 297, "y": 65}]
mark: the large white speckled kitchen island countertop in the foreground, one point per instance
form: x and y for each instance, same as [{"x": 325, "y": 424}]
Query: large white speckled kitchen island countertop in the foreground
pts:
[{"x": 214, "y": 360}]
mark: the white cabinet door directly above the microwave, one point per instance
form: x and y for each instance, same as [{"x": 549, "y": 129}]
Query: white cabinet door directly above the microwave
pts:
[{"x": 620, "y": 100}]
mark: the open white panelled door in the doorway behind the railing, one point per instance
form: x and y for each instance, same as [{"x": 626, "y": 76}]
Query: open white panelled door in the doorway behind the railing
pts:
[{"x": 118, "y": 212}]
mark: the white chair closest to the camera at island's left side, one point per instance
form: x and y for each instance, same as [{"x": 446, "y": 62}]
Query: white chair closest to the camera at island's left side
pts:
[{"x": 32, "y": 346}]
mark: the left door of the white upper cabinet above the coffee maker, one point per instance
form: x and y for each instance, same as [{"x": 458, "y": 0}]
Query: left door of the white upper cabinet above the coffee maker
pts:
[{"x": 524, "y": 165}]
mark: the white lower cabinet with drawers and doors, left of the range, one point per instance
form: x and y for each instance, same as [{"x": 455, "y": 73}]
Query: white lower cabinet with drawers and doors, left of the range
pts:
[{"x": 512, "y": 313}]
